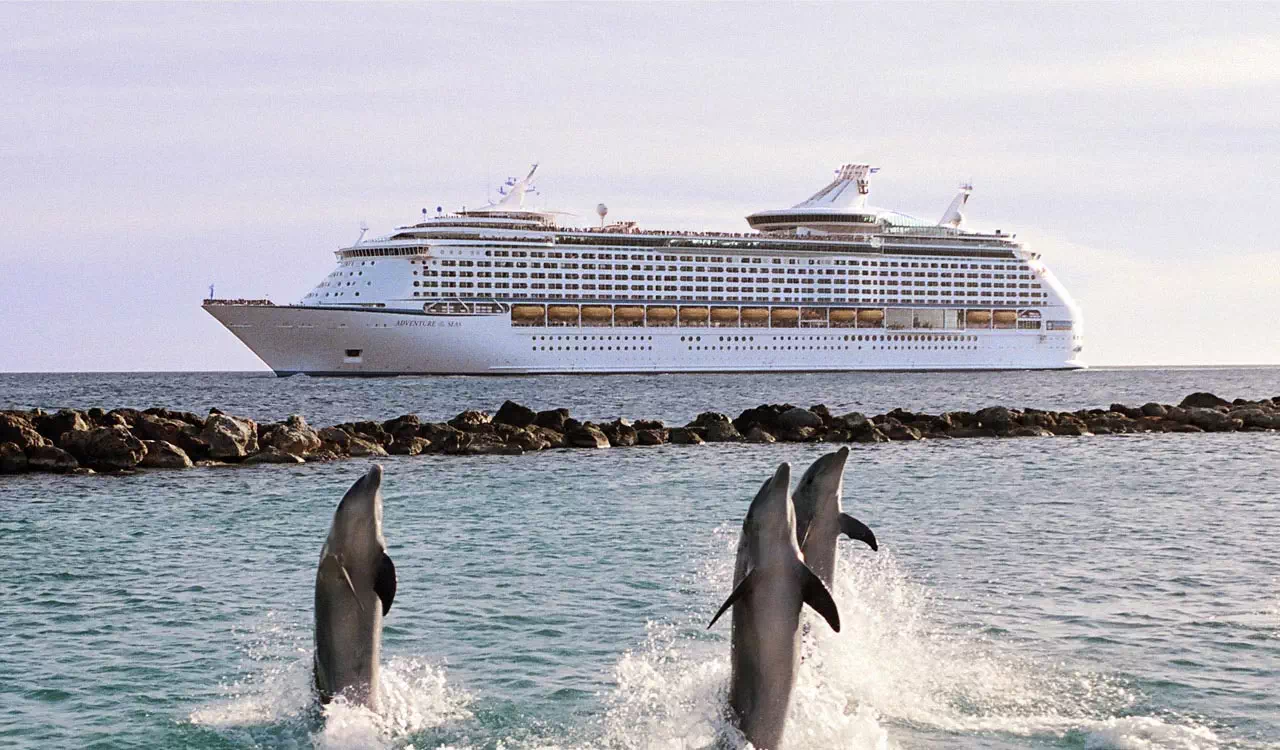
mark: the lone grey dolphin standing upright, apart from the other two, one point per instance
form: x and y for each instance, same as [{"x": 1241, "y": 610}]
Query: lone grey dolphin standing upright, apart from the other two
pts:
[{"x": 355, "y": 588}]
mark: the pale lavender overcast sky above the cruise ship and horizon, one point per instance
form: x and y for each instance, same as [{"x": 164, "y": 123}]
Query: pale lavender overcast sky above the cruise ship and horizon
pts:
[{"x": 150, "y": 150}]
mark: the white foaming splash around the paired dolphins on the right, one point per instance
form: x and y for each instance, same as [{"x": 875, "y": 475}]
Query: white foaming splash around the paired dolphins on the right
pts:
[{"x": 897, "y": 674}]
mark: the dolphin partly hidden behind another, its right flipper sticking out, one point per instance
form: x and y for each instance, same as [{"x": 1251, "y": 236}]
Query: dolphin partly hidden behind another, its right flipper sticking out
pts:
[{"x": 820, "y": 520}]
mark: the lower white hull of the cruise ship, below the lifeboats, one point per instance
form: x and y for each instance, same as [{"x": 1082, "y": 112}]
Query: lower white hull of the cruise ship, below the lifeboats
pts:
[{"x": 318, "y": 341}]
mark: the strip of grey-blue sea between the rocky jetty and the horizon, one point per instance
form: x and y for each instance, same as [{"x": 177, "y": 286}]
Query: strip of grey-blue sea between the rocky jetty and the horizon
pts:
[{"x": 675, "y": 399}]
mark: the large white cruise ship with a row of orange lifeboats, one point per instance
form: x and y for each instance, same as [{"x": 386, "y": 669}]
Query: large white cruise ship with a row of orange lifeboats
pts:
[{"x": 829, "y": 285}]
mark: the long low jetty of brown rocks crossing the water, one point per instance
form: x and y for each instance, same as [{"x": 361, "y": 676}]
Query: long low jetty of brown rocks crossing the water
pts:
[{"x": 126, "y": 440}]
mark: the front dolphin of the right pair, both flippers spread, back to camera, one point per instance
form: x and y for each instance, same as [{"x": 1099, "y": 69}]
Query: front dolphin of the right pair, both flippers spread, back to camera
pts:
[{"x": 771, "y": 583}]
